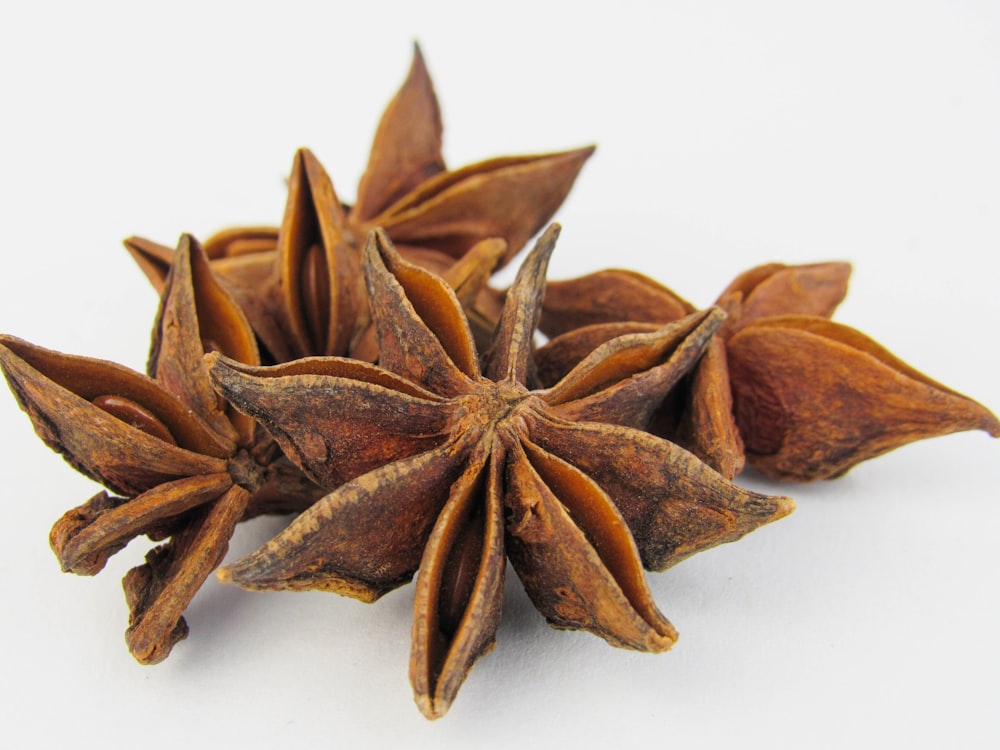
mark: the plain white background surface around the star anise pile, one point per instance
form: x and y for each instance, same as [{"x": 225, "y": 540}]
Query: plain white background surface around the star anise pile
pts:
[{"x": 729, "y": 134}]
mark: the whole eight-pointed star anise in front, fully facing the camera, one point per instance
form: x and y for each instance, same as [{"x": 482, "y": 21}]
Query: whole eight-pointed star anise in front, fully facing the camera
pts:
[{"x": 451, "y": 468}]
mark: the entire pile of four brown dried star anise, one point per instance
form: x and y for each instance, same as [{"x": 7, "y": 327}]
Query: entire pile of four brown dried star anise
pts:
[{"x": 354, "y": 367}]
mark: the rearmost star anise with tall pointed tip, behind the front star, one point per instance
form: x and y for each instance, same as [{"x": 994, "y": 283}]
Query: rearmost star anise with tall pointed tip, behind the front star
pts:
[{"x": 301, "y": 285}]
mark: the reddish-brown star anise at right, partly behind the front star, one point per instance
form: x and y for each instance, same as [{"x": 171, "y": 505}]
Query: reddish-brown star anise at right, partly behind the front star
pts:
[{"x": 801, "y": 397}]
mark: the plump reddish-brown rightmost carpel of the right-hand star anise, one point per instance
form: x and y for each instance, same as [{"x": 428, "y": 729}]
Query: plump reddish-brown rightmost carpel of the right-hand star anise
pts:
[{"x": 861, "y": 401}]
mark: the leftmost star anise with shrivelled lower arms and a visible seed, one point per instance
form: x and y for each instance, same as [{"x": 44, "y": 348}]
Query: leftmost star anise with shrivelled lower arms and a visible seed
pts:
[{"x": 186, "y": 466}]
